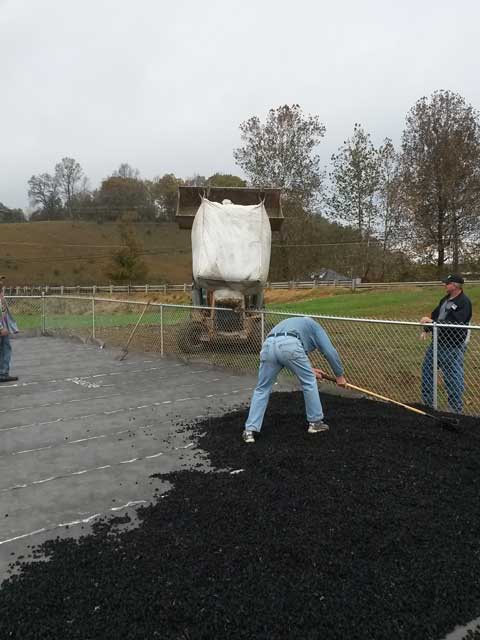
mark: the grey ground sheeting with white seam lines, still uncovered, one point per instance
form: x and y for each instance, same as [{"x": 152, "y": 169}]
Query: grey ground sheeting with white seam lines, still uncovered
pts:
[{"x": 81, "y": 433}]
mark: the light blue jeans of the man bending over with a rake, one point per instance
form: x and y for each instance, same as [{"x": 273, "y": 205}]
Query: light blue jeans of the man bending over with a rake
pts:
[{"x": 276, "y": 353}]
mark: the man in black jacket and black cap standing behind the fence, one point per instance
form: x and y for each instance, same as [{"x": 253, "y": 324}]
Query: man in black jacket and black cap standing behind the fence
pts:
[{"x": 453, "y": 308}]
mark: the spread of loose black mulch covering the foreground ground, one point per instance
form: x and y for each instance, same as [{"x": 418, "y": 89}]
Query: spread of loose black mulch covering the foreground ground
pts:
[{"x": 369, "y": 531}]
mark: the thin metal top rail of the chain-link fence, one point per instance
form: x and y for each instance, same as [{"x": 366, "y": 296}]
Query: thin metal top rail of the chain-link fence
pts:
[{"x": 259, "y": 311}]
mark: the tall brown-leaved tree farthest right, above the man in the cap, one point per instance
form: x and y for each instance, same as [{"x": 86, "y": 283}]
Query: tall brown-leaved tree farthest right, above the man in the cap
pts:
[{"x": 441, "y": 173}]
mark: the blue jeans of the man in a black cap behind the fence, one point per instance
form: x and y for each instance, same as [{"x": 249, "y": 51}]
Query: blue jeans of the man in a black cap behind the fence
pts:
[{"x": 450, "y": 362}]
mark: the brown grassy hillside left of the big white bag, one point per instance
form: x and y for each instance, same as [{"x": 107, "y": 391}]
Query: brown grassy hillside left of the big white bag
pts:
[{"x": 67, "y": 252}]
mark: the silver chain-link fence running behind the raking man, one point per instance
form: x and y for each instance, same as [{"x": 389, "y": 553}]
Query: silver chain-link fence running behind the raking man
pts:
[{"x": 392, "y": 358}]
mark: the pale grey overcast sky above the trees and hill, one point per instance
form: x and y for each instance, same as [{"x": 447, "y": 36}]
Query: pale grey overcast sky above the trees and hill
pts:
[{"x": 164, "y": 85}]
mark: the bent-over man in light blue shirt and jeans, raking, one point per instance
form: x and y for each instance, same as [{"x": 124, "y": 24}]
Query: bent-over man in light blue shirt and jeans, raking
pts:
[{"x": 287, "y": 345}]
